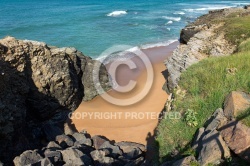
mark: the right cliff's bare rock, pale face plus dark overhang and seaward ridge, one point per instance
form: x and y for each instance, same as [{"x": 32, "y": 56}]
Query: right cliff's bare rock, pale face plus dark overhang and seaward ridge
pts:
[{"x": 199, "y": 40}]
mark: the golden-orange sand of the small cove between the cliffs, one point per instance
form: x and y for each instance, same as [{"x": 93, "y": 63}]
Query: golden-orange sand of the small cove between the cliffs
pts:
[{"x": 135, "y": 122}]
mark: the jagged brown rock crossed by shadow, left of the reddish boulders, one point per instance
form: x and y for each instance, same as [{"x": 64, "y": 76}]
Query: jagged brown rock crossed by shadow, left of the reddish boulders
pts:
[{"x": 208, "y": 142}]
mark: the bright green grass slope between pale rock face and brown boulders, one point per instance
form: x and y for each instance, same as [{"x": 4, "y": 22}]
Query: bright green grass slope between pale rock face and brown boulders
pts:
[{"x": 203, "y": 88}]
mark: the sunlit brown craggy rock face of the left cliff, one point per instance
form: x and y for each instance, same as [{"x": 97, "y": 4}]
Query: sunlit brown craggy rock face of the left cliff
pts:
[{"x": 54, "y": 77}]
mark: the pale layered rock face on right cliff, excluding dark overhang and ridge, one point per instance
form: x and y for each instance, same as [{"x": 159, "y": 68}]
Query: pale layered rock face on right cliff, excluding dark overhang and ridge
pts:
[{"x": 197, "y": 48}]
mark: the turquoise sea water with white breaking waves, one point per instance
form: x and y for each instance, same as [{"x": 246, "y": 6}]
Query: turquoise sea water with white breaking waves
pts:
[{"x": 92, "y": 26}]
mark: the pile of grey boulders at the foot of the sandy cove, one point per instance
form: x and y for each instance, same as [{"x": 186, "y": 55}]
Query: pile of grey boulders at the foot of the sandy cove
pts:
[{"x": 117, "y": 154}]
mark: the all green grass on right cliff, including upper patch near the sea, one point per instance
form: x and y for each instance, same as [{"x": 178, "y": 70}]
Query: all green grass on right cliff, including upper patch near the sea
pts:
[{"x": 204, "y": 86}]
